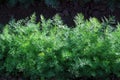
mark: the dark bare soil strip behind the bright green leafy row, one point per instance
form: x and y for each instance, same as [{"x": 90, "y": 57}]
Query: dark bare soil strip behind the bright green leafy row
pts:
[{"x": 67, "y": 11}]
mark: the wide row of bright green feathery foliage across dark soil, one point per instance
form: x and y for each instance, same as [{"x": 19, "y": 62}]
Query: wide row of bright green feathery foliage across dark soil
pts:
[{"x": 50, "y": 50}]
